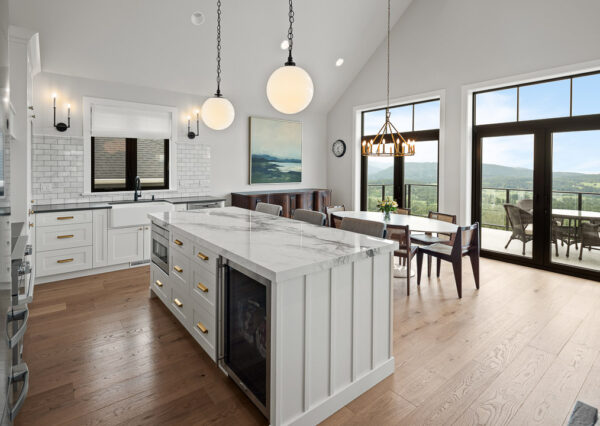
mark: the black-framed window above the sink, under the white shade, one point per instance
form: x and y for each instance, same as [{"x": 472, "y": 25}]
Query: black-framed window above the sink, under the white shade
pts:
[{"x": 117, "y": 161}]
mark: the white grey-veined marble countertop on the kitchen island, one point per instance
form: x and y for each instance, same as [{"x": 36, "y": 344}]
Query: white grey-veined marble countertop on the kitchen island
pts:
[{"x": 274, "y": 247}]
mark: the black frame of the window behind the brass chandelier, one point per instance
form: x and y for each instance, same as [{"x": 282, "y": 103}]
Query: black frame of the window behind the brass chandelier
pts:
[{"x": 418, "y": 136}]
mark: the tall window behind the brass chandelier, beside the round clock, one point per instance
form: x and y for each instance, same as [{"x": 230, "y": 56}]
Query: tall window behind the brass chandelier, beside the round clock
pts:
[{"x": 412, "y": 181}]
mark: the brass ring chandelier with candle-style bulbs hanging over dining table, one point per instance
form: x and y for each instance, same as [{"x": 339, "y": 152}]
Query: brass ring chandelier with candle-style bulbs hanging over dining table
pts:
[{"x": 397, "y": 146}]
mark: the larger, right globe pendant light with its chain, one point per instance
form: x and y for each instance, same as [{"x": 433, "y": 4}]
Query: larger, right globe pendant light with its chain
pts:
[{"x": 290, "y": 89}]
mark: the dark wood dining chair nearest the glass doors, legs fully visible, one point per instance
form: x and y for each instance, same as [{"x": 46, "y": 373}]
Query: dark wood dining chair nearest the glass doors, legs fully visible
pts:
[{"x": 466, "y": 243}]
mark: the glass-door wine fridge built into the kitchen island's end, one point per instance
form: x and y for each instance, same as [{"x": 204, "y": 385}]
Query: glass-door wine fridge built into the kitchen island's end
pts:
[{"x": 245, "y": 331}]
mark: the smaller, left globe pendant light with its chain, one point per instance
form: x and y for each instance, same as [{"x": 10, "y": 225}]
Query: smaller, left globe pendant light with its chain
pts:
[{"x": 218, "y": 112}]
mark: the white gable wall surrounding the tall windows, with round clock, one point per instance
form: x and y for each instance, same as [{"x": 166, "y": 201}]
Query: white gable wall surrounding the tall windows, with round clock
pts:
[{"x": 447, "y": 45}]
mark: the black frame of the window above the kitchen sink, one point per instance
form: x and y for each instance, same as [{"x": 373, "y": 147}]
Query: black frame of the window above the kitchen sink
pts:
[{"x": 130, "y": 167}]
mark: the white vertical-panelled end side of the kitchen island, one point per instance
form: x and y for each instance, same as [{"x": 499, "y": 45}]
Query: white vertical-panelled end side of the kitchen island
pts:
[{"x": 331, "y": 334}]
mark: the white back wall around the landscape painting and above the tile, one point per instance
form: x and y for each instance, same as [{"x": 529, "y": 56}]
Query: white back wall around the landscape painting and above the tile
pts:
[{"x": 229, "y": 149}]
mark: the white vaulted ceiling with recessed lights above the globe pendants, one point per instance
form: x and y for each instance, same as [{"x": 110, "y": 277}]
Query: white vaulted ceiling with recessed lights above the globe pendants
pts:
[{"x": 152, "y": 43}]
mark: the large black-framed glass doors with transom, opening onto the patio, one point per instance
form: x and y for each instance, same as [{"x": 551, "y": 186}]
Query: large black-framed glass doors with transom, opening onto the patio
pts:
[{"x": 536, "y": 173}]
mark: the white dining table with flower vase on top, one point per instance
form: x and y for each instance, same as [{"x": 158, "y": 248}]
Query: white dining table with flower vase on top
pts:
[{"x": 415, "y": 224}]
